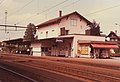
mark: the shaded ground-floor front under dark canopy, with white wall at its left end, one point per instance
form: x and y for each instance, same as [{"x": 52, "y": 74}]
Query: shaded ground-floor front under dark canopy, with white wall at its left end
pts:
[{"x": 53, "y": 47}]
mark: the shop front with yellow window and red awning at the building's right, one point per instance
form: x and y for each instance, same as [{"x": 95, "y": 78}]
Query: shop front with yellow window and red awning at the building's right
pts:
[{"x": 96, "y": 49}]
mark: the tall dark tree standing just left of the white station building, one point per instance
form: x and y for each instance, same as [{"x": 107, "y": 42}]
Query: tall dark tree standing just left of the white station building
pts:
[{"x": 30, "y": 32}]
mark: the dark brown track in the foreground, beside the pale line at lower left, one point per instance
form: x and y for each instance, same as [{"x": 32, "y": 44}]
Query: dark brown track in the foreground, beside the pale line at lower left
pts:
[{"x": 41, "y": 75}]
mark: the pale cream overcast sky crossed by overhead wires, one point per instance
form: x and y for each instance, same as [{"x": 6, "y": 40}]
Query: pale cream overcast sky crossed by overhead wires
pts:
[{"x": 23, "y": 12}]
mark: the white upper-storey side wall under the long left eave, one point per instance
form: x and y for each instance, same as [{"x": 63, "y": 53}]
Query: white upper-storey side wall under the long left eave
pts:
[{"x": 53, "y": 31}]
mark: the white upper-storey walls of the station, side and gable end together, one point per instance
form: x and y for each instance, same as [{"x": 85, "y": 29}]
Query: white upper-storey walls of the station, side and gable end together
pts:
[{"x": 54, "y": 30}]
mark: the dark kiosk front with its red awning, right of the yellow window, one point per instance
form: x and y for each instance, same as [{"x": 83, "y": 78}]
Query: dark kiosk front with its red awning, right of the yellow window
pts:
[{"x": 102, "y": 49}]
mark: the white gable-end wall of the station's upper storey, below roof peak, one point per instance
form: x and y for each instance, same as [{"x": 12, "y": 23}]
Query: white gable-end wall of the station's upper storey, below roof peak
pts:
[{"x": 77, "y": 29}]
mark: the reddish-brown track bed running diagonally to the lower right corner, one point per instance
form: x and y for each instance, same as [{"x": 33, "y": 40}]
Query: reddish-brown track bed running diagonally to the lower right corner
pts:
[{"x": 66, "y": 69}]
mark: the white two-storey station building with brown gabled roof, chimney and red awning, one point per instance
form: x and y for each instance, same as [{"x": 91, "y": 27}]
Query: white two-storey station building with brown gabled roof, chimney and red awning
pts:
[{"x": 66, "y": 36}]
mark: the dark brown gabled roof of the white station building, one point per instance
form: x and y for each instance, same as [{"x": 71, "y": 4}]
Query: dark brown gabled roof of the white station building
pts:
[{"x": 57, "y": 20}]
